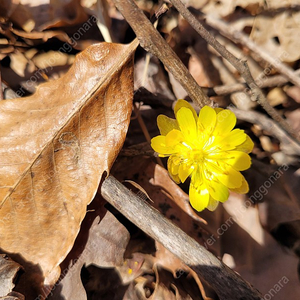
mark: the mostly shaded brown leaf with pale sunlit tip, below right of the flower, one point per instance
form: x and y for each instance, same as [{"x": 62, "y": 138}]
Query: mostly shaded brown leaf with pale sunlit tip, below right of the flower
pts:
[{"x": 257, "y": 256}]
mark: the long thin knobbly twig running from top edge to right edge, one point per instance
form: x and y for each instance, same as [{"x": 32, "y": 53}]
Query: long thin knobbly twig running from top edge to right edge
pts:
[{"x": 240, "y": 65}]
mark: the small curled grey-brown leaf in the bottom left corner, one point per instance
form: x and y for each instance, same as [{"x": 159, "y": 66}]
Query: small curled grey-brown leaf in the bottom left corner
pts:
[{"x": 8, "y": 270}]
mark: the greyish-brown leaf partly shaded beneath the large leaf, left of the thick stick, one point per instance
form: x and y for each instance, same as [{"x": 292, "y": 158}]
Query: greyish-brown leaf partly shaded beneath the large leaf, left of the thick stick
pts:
[{"x": 106, "y": 241}]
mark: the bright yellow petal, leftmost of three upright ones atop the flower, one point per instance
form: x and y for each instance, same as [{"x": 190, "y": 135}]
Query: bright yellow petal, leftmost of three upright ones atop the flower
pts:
[{"x": 187, "y": 124}]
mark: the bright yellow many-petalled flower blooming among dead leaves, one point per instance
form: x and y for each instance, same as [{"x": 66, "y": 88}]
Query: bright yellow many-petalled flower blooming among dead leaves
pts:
[{"x": 207, "y": 149}]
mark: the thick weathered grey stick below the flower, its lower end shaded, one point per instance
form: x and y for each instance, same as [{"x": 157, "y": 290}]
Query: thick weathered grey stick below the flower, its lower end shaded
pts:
[{"x": 226, "y": 283}]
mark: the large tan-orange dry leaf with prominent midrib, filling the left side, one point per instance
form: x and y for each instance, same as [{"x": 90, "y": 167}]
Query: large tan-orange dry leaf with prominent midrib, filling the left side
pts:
[{"x": 55, "y": 146}]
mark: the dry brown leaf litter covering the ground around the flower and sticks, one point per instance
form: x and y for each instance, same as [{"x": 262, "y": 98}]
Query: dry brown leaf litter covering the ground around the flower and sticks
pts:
[{"x": 57, "y": 143}]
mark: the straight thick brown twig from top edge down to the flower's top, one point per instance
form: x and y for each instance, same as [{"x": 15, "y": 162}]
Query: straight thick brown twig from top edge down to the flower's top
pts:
[{"x": 153, "y": 42}]
